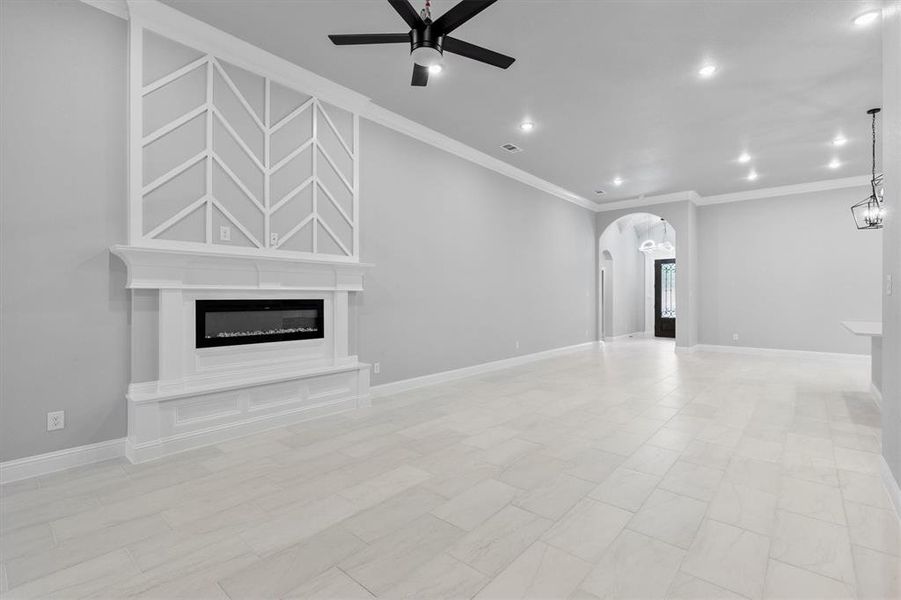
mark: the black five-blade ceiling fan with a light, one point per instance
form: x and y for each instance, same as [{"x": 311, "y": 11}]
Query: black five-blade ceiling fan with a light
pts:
[{"x": 429, "y": 39}]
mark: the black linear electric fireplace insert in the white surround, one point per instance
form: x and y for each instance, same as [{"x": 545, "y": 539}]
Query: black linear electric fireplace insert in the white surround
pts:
[{"x": 238, "y": 322}]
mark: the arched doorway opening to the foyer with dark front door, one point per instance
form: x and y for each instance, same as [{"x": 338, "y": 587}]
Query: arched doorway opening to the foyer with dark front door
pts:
[{"x": 636, "y": 280}]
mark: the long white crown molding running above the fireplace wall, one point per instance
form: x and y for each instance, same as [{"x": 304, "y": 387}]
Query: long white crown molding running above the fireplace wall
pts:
[{"x": 196, "y": 33}]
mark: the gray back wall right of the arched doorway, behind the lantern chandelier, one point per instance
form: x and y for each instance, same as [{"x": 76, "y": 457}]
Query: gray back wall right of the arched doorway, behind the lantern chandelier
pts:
[{"x": 783, "y": 272}]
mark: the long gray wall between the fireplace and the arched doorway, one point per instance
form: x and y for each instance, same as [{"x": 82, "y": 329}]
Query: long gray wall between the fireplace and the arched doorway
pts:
[{"x": 467, "y": 262}]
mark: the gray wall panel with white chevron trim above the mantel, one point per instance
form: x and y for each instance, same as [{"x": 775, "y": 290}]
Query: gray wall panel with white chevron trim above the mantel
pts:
[{"x": 229, "y": 158}]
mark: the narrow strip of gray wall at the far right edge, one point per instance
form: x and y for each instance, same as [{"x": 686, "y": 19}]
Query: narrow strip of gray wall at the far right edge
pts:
[{"x": 891, "y": 250}]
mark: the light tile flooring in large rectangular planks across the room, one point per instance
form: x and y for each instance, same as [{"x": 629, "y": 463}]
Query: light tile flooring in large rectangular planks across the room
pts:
[{"x": 630, "y": 472}]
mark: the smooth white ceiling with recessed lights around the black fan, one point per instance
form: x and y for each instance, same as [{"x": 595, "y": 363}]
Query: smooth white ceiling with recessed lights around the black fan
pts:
[{"x": 613, "y": 86}]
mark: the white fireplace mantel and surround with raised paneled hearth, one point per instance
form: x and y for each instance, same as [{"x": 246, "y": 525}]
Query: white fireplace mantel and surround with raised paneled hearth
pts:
[{"x": 205, "y": 395}]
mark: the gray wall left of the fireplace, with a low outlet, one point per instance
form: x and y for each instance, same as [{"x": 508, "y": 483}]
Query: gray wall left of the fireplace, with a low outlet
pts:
[{"x": 63, "y": 305}]
